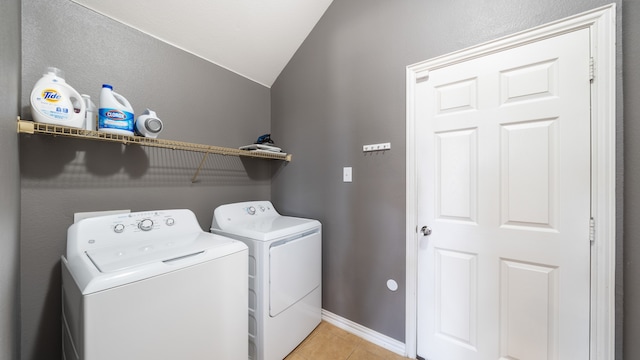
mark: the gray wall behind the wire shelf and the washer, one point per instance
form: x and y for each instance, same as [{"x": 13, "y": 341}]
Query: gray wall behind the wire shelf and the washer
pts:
[{"x": 197, "y": 101}]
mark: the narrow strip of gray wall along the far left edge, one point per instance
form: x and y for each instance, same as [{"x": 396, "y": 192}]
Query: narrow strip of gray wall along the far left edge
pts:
[{"x": 9, "y": 178}]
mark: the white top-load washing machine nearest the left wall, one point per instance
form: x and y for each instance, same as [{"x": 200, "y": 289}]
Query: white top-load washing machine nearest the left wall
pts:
[{"x": 153, "y": 285}]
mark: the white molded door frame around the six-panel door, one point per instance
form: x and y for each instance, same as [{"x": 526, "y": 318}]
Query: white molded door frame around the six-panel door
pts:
[{"x": 602, "y": 24}]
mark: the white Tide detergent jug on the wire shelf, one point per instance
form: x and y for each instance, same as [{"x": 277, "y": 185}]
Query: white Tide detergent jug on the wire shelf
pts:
[{"x": 52, "y": 101}]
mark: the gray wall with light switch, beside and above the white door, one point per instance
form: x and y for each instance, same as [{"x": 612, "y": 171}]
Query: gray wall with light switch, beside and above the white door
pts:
[{"x": 345, "y": 87}]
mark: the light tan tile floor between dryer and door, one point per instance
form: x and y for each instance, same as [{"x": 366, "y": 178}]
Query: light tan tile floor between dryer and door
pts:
[{"x": 328, "y": 342}]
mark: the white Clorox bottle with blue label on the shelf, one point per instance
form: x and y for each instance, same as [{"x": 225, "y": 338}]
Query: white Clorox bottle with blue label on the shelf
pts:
[{"x": 115, "y": 114}]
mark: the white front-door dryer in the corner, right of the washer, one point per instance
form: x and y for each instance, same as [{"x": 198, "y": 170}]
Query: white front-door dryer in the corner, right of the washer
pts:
[{"x": 285, "y": 274}]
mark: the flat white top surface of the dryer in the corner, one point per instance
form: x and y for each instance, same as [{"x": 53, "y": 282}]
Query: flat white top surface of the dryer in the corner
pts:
[{"x": 272, "y": 228}]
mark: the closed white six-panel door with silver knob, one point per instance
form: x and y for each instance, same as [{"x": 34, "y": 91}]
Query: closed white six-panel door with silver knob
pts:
[{"x": 504, "y": 182}]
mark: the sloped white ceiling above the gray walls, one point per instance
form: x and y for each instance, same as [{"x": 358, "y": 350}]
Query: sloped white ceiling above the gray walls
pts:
[{"x": 254, "y": 38}]
